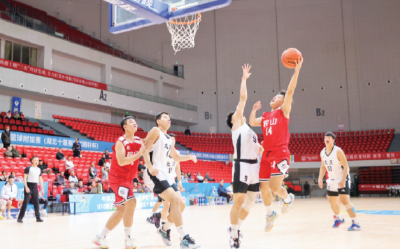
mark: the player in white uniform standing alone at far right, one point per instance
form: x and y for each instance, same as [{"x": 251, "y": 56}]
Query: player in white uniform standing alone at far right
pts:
[{"x": 334, "y": 161}]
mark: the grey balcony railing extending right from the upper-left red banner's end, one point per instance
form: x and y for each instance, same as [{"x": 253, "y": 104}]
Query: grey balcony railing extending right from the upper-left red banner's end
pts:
[{"x": 151, "y": 98}]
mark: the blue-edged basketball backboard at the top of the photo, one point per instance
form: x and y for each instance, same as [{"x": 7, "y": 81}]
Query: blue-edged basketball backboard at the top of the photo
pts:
[{"x": 126, "y": 15}]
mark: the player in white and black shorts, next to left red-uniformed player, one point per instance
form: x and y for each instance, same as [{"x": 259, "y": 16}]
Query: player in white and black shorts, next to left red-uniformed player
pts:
[{"x": 156, "y": 161}]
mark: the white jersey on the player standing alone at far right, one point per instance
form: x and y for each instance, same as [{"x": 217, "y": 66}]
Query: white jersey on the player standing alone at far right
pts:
[{"x": 333, "y": 165}]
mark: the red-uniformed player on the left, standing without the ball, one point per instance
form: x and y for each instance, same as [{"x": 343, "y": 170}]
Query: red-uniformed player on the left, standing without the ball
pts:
[{"x": 128, "y": 149}]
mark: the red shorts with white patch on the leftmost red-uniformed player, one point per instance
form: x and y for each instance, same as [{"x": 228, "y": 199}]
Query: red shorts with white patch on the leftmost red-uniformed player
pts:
[{"x": 123, "y": 190}]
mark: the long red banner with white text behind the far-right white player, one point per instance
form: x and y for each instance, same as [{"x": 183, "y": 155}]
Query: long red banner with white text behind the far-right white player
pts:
[{"x": 352, "y": 157}]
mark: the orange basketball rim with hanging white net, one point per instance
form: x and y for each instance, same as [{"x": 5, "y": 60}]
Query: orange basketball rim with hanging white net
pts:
[{"x": 183, "y": 30}]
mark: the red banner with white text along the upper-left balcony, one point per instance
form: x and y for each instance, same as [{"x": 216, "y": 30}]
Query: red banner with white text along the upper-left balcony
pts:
[{"x": 51, "y": 74}]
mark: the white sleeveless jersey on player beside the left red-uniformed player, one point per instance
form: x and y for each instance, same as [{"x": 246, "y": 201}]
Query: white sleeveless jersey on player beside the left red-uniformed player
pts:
[{"x": 160, "y": 152}]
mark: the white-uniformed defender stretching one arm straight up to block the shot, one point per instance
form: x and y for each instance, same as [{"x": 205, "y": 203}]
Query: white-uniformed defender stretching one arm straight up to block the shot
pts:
[{"x": 246, "y": 169}]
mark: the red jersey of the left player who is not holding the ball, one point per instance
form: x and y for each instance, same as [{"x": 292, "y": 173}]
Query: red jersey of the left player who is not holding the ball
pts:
[{"x": 127, "y": 172}]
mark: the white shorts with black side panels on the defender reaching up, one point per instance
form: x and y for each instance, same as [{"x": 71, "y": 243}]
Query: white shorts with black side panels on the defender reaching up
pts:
[{"x": 245, "y": 177}]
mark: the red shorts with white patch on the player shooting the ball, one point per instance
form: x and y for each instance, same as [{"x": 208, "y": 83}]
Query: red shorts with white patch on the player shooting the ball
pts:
[{"x": 274, "y": 163}]
